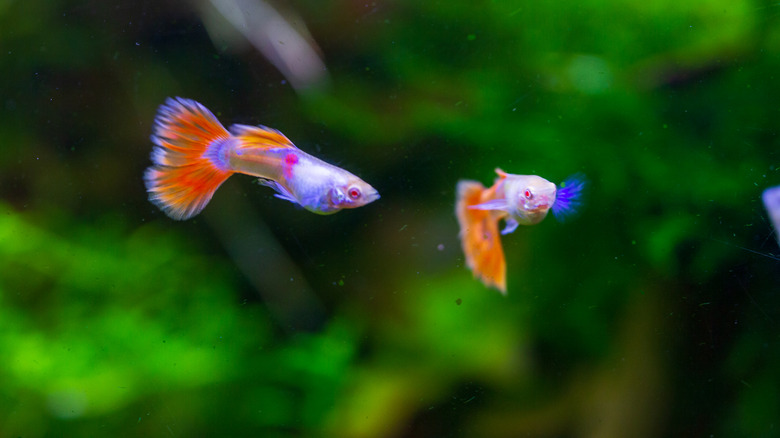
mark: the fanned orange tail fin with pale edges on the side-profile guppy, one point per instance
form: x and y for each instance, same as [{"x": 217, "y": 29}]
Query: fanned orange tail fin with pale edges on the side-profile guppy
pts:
[{"x": 188, "y": 167}]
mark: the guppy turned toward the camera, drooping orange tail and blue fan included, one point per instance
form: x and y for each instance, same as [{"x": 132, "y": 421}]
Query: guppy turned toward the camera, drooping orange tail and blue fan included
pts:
[{"x": 519, "y": 200}]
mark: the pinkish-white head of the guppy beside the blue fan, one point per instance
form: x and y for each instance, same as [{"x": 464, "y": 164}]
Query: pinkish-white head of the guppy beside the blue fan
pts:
[{"x": 529, "y": 197}]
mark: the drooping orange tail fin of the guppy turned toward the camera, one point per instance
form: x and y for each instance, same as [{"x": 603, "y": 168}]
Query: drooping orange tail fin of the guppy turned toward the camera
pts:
[{"x": 479, "y": 236}]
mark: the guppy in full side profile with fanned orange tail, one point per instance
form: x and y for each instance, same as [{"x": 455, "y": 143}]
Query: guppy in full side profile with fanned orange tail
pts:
[{"x": 194, "y": 154}]
